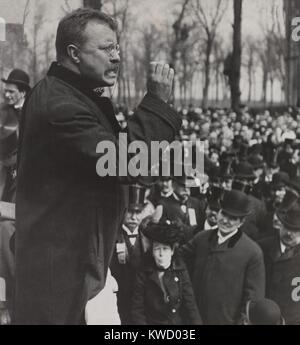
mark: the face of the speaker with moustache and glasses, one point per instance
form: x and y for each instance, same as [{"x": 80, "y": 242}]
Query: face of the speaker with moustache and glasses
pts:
[{"x": 96, "y": 63}]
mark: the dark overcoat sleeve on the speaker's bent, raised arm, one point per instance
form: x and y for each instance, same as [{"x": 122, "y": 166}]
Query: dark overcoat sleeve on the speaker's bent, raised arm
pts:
[{"x": 78, "y": 132}]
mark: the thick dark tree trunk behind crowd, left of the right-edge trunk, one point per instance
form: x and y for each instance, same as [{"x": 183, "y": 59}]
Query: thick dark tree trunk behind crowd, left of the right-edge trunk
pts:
[{"x": 236, "y": 56}]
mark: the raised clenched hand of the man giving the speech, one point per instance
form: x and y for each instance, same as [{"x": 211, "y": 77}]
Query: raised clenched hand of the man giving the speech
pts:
[{"x": 161, "y": 78}]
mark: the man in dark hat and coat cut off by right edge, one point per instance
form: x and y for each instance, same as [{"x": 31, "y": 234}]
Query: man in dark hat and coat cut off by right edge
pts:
[{"x": 282, "y": 260}]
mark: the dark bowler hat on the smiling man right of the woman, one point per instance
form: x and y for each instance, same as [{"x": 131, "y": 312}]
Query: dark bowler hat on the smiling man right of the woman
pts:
[{"x": 235, "y": 203}]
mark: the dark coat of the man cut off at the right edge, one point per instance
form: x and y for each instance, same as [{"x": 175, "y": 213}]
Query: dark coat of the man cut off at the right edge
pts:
[{"x": 281, "y": 269}]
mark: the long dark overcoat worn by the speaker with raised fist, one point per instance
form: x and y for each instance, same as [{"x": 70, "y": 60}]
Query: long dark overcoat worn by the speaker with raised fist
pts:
[{"x": 68, "y": 216}]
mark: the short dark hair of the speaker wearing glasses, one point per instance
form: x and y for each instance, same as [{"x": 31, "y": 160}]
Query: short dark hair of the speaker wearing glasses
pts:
[{"x": 71, "y": 28}]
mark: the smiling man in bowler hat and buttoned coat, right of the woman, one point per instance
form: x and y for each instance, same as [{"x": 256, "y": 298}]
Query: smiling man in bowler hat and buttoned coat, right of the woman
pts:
[{"x": 226, "y": 266}]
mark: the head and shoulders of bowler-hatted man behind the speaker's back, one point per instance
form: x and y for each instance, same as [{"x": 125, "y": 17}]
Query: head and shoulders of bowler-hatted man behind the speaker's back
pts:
[{"x": 15, "y": 90}]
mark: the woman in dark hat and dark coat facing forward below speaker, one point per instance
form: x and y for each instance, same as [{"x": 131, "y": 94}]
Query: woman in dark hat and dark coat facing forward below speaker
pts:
[{"x": 163, "y": 293}]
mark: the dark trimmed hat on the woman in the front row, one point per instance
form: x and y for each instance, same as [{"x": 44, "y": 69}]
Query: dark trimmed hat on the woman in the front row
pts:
[{"x": 165, "y": 232}]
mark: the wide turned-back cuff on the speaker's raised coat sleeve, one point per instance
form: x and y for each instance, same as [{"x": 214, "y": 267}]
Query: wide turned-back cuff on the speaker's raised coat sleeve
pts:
[{"x": 162, "y": 109}]
